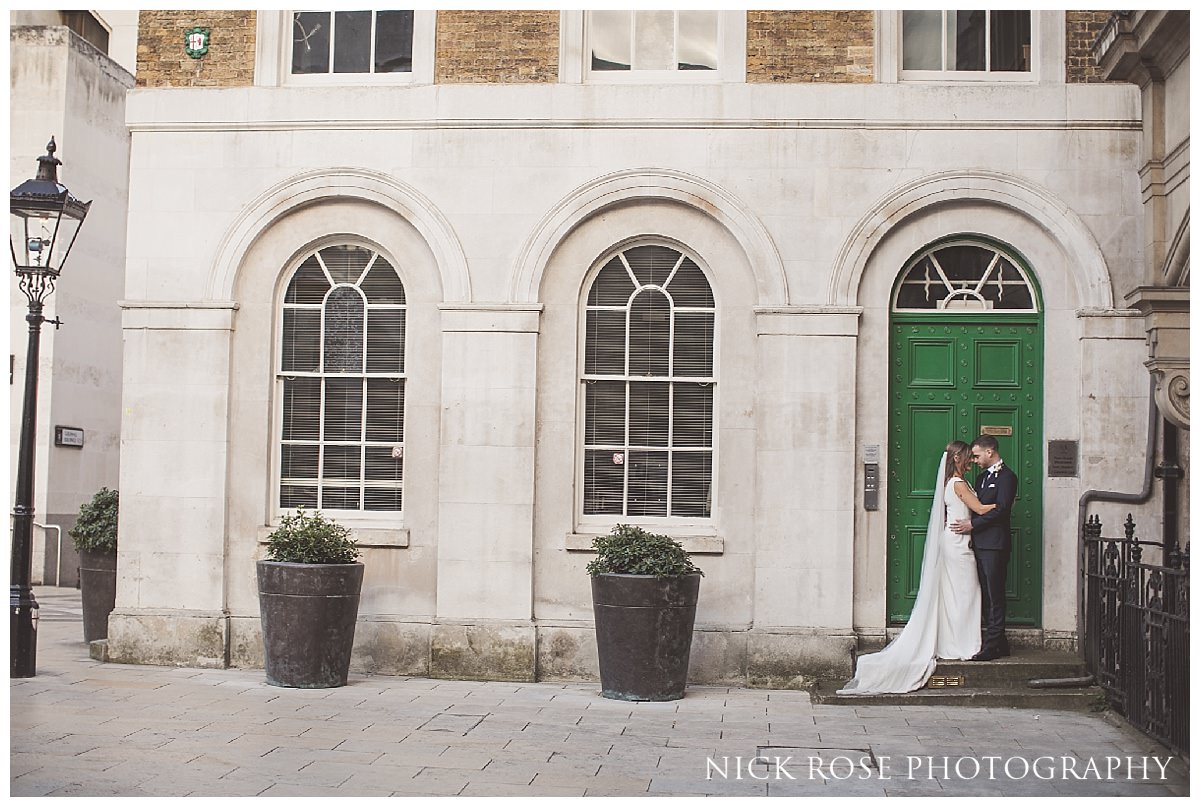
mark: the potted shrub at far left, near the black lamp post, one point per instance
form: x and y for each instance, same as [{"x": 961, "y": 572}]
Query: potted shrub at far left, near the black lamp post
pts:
[{"x": 94, "y": 536}]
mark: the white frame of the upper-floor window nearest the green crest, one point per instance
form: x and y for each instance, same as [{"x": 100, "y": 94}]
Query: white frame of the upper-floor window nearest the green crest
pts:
[{"x": 273, "y": 64}]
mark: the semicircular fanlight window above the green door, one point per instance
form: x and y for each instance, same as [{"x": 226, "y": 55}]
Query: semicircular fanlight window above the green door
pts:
[{"x": 965, "y": 277}]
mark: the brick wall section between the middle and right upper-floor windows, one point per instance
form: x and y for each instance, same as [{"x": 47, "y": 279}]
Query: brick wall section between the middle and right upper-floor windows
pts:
[{"x": 811, "y": 46}]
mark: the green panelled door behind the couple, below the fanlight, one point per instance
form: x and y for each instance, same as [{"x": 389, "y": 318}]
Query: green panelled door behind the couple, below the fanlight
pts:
[{"x": 951, "y": 378}]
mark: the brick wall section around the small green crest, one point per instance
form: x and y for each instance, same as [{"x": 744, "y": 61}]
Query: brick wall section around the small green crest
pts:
[{"x": 229, "y": 63}]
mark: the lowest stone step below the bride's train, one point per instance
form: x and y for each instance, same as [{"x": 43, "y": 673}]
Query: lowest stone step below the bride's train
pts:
[{"x": 1076, "y": 698}]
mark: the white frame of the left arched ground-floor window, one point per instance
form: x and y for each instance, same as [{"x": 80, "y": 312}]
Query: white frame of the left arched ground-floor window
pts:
[{"x": 363, "y": 518}]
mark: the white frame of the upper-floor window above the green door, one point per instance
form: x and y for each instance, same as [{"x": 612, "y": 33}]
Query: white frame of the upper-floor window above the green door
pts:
[{"x": 1048, "y": 57}]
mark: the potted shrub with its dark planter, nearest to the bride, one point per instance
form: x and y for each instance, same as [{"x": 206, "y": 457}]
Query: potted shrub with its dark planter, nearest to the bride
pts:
[{"x": 644, "y": 596}]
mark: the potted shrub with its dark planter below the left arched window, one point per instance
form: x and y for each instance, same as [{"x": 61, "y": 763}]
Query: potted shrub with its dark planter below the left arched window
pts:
[{"x": 309, "y": 602}]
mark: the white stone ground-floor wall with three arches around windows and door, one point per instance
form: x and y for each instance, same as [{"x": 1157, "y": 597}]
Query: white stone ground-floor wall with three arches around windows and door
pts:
[{"x": 802, "y": 204}]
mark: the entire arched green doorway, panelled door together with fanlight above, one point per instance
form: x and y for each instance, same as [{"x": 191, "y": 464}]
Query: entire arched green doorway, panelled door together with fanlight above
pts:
[{"x": 965, "y": 357}]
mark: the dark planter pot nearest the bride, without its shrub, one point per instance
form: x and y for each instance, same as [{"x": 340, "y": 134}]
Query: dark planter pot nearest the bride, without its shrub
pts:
[{"x": 644, "y": 635}]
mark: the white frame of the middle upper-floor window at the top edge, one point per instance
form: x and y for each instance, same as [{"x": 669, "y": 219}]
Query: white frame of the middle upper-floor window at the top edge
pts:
[{"x": 575, "y": 65}]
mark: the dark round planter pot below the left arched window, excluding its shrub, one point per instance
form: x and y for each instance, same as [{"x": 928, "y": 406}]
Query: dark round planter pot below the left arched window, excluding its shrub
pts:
[{"x": 309, "y": 612}]
